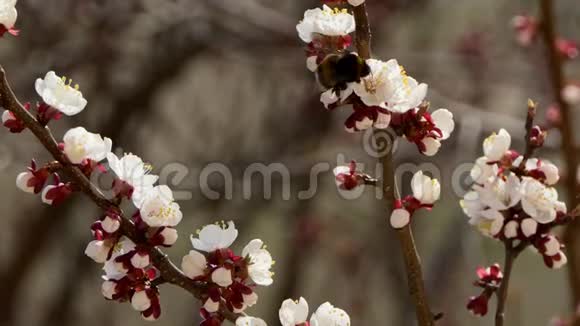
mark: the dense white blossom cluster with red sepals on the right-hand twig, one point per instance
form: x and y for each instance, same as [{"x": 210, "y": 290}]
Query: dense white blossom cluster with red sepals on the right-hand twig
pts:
[{"x": 513, "y": 198}]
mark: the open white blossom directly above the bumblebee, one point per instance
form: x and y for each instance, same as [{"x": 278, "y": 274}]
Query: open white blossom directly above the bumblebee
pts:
[{"x": 325, "y": 21}]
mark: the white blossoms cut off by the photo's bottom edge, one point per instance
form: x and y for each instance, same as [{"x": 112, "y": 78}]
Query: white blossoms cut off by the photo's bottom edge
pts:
[{"x": 295, "y": 313}]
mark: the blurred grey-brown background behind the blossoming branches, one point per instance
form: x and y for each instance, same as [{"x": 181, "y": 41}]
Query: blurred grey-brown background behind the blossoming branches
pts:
[{"x": 194, "y": 82}]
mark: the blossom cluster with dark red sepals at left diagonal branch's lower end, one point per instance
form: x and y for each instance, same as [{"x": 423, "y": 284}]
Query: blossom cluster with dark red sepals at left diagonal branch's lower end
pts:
[{"x": 230, "y": 279}]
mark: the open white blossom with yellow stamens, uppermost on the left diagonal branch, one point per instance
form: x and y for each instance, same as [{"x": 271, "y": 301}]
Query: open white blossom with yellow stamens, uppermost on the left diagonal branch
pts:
[{"x": 62, "y": 96}]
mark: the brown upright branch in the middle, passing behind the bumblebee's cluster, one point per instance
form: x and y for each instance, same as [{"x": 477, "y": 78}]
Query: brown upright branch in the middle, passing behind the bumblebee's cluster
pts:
[{"x": 411, "y": 256}]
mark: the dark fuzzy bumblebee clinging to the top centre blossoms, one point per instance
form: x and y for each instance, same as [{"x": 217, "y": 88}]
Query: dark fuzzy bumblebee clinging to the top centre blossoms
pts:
[{"x": 336, "y": 70}]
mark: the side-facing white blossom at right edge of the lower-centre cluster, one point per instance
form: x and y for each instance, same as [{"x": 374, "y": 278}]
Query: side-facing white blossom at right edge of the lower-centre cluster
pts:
[{"x": 260, "y": 262}]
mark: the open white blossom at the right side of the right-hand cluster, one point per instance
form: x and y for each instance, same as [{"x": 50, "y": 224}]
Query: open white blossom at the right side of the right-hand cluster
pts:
[{"x": 539, "y": 201}]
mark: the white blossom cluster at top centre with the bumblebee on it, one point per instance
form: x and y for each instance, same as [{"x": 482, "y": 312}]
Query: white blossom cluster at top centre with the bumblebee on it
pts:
[{"x": 381, "y": 94}]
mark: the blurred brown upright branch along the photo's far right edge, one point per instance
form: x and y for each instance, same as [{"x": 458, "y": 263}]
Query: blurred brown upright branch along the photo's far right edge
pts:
[{"x": 571, "y": 239}]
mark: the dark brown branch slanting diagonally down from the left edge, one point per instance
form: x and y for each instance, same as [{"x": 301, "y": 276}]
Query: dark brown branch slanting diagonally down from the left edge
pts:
[{"x": 167, "y": 269}]
